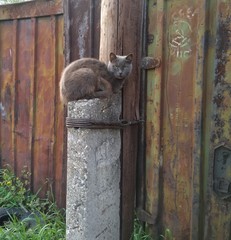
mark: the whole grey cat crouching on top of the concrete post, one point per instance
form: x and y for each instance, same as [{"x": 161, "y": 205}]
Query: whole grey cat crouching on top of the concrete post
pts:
[{"x": 88, "y": 78}]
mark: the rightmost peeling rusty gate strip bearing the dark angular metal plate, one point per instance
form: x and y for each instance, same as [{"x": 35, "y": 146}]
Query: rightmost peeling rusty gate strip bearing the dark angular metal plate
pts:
[{"x": 217, "y": 137}]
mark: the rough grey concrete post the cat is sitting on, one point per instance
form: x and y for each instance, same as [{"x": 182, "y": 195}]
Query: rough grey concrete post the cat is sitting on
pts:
[{"x": 93, "y": 173}]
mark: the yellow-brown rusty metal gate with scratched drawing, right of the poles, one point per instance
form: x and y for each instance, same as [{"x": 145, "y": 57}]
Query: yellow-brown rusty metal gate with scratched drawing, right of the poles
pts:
[{"x": 188, "y": 136}]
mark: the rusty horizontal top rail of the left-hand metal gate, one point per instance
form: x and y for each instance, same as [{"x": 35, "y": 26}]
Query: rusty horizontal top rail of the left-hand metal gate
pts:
[{"x": 31, "y": 9}]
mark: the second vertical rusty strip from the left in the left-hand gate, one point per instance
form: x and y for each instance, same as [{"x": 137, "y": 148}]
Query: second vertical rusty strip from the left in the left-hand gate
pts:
[{"x": 24, "y": 69}]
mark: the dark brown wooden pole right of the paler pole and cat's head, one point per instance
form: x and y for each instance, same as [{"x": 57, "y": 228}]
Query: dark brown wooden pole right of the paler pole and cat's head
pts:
[{"x": 129, "y": 41}]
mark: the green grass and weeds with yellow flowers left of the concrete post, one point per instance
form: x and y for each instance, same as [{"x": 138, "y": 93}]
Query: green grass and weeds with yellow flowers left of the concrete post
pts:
[{"x": 50, "y": 225}]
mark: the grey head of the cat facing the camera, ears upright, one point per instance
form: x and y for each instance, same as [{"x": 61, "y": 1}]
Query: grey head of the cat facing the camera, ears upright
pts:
[{"x": 120, "y": 66}]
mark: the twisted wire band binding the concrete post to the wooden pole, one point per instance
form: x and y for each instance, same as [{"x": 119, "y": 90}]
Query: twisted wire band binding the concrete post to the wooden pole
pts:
[{"x": 95, "y": 124}]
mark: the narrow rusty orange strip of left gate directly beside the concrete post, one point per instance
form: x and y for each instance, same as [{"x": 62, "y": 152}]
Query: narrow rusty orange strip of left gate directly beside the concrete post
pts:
[{"x": 60, "y": 129}]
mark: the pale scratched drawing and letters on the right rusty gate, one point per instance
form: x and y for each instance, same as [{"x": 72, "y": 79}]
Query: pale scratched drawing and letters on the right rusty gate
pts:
[{"x": 180, "y": 33}]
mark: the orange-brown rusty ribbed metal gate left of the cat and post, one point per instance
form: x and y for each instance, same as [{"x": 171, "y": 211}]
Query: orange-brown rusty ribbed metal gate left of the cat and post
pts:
[{"x": 32, "y": 117}]
